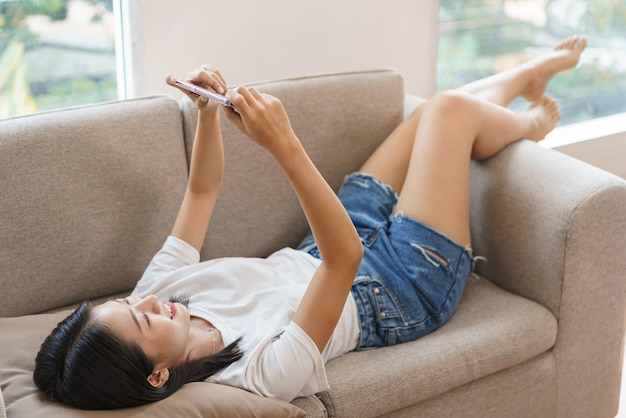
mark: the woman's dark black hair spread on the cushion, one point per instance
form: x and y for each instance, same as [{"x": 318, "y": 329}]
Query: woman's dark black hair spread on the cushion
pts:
[{"x": 82, "y": 363}]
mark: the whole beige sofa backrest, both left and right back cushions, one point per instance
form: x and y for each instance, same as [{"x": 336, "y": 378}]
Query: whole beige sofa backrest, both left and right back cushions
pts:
[{"x": 88, "y": 195}]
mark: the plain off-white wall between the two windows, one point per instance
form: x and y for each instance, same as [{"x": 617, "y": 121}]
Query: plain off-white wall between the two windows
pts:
[{"x": 256, "y": 40}]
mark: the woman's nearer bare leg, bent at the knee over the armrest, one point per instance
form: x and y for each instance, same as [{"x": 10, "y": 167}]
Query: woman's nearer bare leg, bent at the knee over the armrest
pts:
[{"x": 455, "y": 127}]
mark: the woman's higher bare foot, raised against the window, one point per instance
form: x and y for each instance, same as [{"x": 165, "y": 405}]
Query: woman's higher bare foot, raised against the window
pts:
[{"x": 565, "y": 56}]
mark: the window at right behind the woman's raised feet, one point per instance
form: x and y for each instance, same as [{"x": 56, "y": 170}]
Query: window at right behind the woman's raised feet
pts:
[{"x": 480, "y": 37}]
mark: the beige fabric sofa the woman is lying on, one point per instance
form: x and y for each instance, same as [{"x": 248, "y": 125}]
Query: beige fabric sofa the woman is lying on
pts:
[{"x": 89, "y": 194}]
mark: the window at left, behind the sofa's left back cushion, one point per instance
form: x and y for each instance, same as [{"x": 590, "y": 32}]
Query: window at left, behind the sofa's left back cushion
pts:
[{"x": 55, "y": 54}]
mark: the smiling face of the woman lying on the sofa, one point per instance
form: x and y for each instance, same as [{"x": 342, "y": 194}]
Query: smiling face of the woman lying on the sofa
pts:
[{"x": 161, "y": 329}]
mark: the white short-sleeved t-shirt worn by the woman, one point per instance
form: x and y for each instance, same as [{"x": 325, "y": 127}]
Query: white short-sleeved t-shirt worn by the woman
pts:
[{"x": 254, "y": 298}]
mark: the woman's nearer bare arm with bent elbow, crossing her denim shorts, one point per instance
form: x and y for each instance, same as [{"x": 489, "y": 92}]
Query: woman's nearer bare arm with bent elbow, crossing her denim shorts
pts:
[{"x": 263, "y": 118}]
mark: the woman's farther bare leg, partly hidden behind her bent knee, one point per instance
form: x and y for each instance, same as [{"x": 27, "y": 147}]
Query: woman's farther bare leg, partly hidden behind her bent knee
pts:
[{"x": 390, "y": 161}]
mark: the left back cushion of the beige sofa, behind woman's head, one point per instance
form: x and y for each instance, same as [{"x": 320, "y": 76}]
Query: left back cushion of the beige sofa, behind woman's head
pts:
[{"x": 87, "y": 196}]
